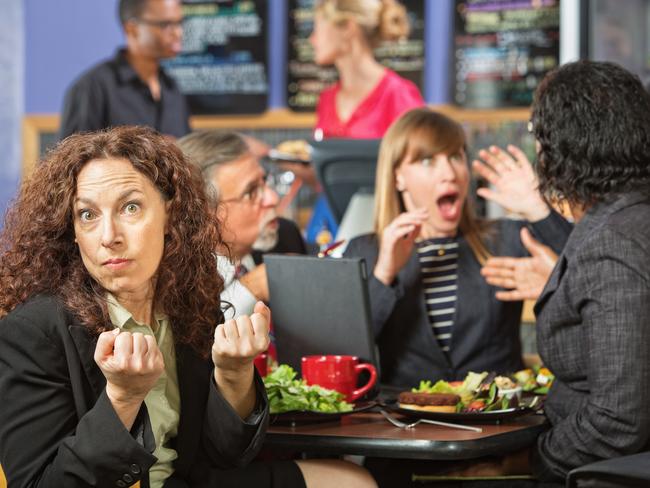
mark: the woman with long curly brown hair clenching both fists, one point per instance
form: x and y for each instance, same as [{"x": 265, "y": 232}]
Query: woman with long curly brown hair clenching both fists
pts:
[{"x": 113, "y": 368}]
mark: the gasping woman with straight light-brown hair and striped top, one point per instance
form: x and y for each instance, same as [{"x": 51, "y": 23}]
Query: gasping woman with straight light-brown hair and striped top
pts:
[{"x": 434, "y": 315}]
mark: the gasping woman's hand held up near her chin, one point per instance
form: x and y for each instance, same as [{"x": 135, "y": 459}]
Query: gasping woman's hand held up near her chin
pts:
[{"x": 397, "y": 243}]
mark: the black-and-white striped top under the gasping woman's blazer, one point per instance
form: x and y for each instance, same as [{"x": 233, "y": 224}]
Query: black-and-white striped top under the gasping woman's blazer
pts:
[{"x": 438, "y": 266}]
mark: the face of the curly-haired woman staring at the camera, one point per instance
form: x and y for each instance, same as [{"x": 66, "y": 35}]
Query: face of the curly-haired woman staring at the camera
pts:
[{"x": 119, "y": 222}]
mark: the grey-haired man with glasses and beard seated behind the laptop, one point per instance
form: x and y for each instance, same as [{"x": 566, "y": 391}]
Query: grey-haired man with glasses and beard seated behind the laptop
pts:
[{"x": 247, "y": 210}]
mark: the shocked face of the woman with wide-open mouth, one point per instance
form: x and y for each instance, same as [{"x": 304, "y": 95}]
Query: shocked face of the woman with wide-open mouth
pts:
[{"x": 439, "y": 184}]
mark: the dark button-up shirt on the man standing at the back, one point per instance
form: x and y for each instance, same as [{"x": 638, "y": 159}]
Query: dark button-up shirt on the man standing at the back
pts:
[{"x": 111, "y": 94}]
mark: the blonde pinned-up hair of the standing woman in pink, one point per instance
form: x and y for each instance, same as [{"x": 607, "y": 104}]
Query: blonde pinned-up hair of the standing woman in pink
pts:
[{"x": 379, "y": 20}]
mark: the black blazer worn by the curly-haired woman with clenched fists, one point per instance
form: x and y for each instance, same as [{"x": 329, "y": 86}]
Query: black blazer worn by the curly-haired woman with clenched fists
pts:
[{"x": 58, "y": 428}]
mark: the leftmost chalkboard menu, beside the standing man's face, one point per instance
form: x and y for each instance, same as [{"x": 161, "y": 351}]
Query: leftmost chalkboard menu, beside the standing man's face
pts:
[{"x": 223, "y": 67}]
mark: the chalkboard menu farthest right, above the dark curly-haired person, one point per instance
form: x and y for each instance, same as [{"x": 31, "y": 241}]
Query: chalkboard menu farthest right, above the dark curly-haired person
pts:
[{"x": 502, "y": 50}]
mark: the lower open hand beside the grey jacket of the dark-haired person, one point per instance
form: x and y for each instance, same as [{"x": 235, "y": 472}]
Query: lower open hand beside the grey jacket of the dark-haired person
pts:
[{"x": 523, "y": 278}]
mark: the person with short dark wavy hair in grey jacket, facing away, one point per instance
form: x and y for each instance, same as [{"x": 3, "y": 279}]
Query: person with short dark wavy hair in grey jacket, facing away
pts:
[{"x": 592, "y": 124}]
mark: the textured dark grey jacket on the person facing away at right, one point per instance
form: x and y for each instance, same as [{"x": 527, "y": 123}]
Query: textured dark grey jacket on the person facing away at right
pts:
[{"x": 593, "y": 332}]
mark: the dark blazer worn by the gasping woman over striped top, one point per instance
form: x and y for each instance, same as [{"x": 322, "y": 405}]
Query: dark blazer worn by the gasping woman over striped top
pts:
[{"x": 485, "y": 334}]
